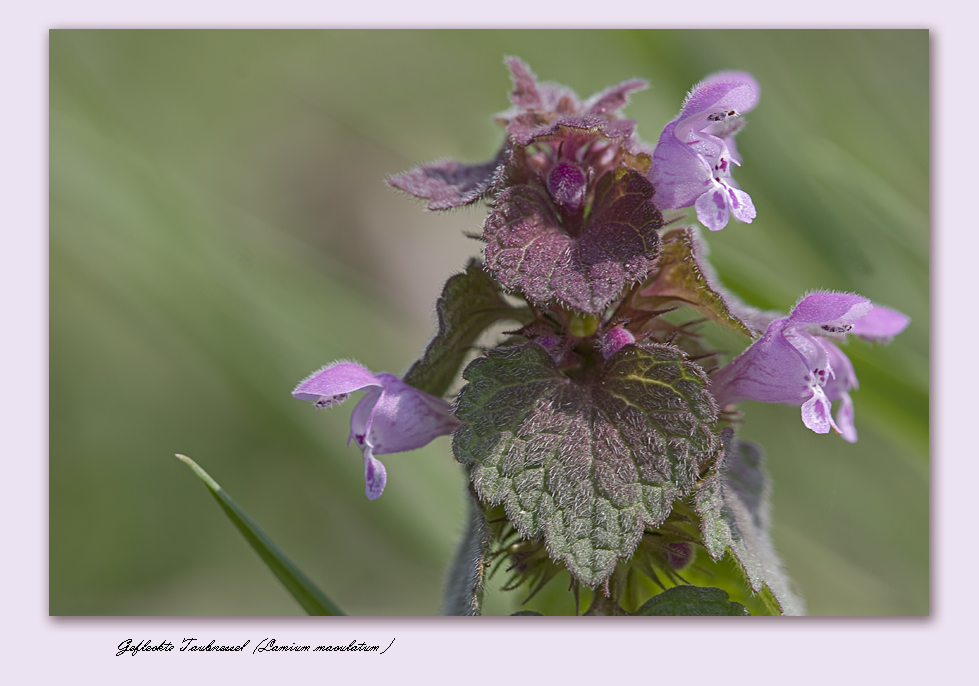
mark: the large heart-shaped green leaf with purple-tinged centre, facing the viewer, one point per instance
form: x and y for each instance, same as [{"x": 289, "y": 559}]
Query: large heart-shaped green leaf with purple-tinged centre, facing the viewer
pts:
[{"x": 588, "y": 463}]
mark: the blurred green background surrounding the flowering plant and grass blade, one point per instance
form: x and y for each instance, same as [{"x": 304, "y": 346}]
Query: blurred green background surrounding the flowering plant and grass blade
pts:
[{"x": 219, "y": 228}]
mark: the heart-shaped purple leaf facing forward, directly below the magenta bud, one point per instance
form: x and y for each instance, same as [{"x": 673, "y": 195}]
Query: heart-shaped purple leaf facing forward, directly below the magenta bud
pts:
[{"x": 530, "y": 249}]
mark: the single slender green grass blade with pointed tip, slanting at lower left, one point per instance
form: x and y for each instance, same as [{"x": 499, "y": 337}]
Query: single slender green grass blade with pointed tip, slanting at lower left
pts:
[{"x": 312, "y": 599}]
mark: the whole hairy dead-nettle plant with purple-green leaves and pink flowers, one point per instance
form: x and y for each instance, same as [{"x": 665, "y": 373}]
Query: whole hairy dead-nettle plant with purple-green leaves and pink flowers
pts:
[{"x": 599, "y": 432}]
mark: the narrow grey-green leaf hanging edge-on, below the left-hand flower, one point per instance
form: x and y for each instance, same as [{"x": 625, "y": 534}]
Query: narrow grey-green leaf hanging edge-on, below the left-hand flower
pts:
[{"x": 464, "y": 586}]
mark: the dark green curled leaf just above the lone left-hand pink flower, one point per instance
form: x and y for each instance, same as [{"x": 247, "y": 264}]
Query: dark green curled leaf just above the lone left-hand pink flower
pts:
[{"x": 470, "y": 302}]
